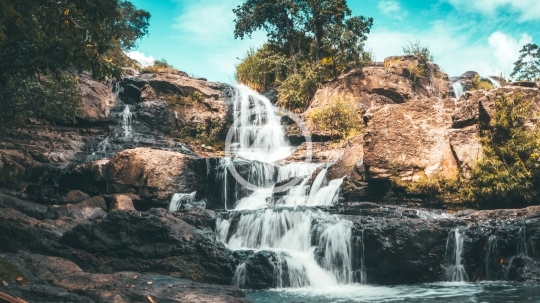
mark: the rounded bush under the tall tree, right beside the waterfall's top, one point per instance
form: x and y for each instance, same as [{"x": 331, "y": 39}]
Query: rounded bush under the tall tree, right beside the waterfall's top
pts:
[{"x": 298, "y": 89}]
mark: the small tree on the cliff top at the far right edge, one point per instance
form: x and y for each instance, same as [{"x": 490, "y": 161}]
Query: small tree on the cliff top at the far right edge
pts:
[{"x": 527, "y": 68}]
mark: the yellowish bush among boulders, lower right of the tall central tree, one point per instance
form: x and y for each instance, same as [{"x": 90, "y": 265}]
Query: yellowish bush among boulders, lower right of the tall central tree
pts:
[{"x": 343, "y": 118}]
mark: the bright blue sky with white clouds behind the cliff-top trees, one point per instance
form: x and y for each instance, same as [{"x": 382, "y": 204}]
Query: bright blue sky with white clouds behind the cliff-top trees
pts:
[{"x": 196, "y": 36}]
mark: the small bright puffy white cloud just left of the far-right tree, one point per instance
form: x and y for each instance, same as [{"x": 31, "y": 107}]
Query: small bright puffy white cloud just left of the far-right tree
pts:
[{"x": 506, "y": 49}]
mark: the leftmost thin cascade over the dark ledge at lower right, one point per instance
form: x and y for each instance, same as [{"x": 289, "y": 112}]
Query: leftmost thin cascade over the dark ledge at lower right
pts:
[{"x": 455, "y": 267}]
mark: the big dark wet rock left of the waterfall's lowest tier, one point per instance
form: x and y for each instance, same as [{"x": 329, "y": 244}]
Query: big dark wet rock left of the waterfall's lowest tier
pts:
[{"x": 128, "y": 241}]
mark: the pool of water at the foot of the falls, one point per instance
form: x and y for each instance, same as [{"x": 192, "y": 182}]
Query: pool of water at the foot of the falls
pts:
[{"x": 489, "y": 292}]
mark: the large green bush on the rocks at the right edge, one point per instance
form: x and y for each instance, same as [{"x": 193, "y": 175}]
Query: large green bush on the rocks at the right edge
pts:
[{"x": 509, "y": 172}]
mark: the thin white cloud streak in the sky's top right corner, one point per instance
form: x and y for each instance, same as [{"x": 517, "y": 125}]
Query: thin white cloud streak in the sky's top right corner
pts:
[{"x": 527, "y": 9}]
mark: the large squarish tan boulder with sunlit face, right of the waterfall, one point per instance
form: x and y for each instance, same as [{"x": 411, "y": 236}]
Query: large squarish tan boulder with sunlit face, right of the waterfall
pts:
[{"x": 410, "y": 140}]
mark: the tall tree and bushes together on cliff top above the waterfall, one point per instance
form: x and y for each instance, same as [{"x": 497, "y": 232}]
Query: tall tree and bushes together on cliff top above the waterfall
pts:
[{"x": 308, "y": 42}]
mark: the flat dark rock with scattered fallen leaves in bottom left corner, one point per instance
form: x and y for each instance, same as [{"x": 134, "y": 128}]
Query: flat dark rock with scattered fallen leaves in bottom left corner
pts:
[{"x": 53, "y": 279}]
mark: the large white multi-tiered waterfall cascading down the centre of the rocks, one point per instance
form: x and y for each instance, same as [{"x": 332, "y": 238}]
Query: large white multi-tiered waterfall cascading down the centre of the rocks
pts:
[{"x": 308, "y": 247}]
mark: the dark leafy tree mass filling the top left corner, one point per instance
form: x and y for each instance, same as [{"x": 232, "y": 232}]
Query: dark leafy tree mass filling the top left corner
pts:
[{"x": 41, "y": 40}]
